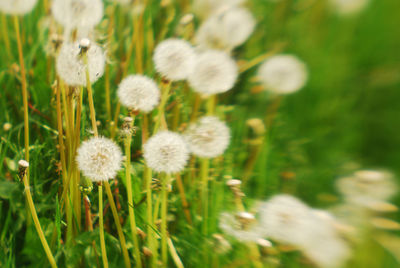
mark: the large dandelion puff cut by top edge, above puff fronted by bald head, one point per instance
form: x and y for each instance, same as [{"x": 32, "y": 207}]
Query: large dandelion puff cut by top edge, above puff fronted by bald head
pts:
[{"x": 77, "y": 14}]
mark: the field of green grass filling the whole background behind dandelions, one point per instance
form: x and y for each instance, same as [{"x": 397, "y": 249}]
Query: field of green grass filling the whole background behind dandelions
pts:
[{"x": 345, "y": 118}]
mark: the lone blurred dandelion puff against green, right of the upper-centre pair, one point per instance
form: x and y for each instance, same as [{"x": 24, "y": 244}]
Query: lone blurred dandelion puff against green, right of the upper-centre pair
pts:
[{"x": 283, "y": 74}]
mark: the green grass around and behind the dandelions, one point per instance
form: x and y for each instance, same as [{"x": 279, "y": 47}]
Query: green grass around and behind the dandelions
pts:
[{"x": 347, "y": 117}]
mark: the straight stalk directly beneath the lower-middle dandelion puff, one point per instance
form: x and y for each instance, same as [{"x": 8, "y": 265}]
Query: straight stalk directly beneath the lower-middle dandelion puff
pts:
[{"x": 164, "y": 207}]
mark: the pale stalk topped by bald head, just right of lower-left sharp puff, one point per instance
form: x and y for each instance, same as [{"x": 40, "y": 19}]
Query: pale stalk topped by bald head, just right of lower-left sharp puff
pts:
[{"x": 132, "y": 220}]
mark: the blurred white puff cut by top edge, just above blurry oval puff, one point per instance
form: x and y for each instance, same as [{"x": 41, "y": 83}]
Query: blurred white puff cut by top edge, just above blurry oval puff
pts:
[{"x": 204, "y": 8}]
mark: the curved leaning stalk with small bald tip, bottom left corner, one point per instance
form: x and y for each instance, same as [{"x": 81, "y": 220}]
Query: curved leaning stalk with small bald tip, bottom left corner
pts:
[{"x": 37, "y": 223}]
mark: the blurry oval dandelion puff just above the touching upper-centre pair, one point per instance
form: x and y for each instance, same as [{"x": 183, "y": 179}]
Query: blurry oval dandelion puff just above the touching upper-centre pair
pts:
[{"x": 226, "y": 30}]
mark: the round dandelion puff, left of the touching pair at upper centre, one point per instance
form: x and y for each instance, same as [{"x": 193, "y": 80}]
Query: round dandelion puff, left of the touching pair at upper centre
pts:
[{"x": 174, "y": 59}]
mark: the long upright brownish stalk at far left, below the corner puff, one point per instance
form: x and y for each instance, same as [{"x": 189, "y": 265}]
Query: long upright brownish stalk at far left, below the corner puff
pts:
[{"x": 24, "y": 89}]
